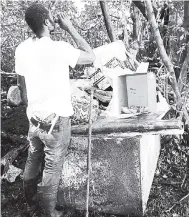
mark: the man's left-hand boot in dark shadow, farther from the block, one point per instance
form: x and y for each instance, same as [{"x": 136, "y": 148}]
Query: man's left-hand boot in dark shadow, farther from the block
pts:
[{"x": 30, "y": 192}]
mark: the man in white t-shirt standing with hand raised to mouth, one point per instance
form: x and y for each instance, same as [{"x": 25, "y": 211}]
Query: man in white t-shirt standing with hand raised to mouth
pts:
[{"x": 43, "y": 66}]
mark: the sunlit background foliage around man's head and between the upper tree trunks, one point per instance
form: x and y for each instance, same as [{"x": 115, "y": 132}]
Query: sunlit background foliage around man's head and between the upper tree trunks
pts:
[{"x": 90, "y": 24}]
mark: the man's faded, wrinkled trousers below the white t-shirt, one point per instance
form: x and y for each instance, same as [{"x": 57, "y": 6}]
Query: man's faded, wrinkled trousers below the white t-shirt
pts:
[{"x": 55, "y": 147}]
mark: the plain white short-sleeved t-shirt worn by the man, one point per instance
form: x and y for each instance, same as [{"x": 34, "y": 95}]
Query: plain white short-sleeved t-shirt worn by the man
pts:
[{"x": 45, "y": 65}]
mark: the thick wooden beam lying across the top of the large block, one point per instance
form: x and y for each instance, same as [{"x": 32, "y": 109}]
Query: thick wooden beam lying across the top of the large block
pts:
[{"x": 140, "y": 124}]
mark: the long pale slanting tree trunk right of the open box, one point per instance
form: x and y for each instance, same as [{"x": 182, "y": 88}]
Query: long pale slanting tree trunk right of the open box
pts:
[{"x": 166, "y": 60}]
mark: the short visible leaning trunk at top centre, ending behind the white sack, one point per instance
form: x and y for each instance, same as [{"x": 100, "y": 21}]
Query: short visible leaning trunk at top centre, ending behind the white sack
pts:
[{"x": 107, "y": 20}]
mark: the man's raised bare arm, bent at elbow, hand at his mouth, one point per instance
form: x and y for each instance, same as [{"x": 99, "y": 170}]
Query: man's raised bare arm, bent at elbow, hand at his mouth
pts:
[{"x": 86, "y": 56}]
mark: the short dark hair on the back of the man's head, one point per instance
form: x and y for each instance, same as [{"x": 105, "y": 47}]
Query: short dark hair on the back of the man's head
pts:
[{"x": 35, "y": 16}]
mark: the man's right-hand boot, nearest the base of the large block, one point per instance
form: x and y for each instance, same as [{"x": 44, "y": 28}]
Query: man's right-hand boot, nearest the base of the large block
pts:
[{"x": 48, "y": 199}]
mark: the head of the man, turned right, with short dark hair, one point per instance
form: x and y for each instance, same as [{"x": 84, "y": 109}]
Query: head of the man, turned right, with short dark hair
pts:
[{"x": 39, "y": 19}]
